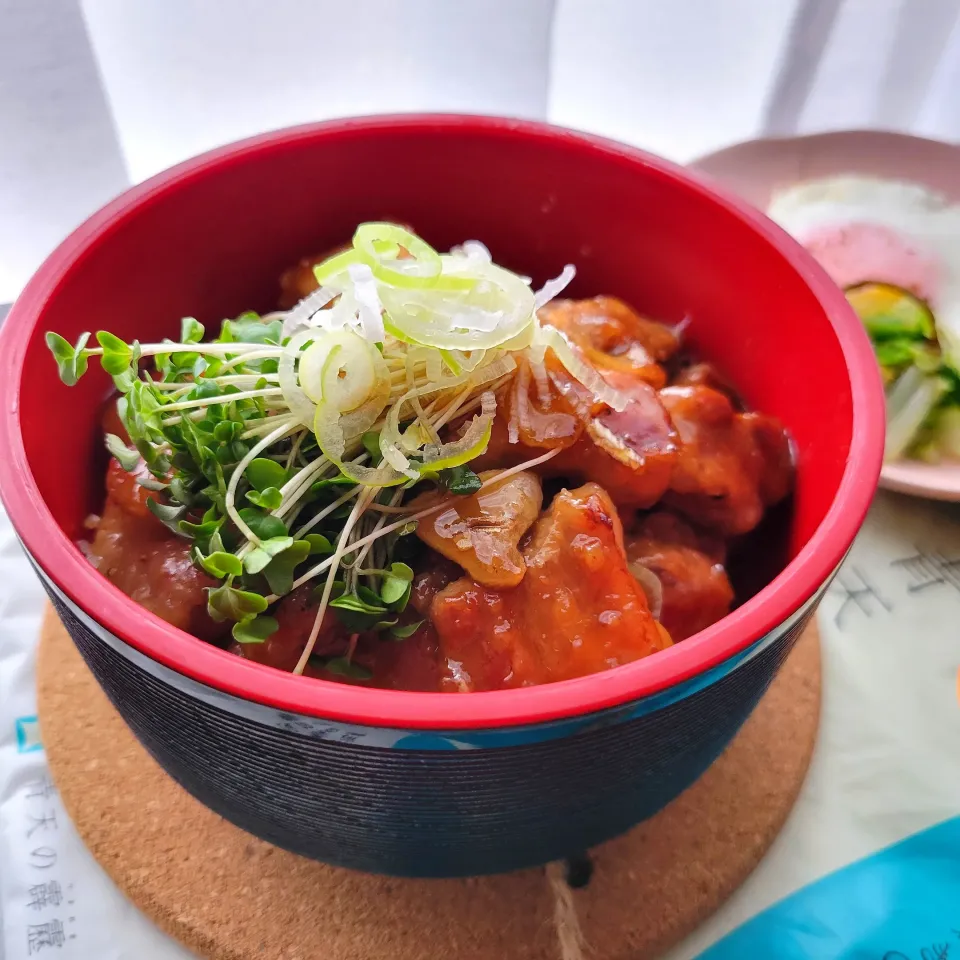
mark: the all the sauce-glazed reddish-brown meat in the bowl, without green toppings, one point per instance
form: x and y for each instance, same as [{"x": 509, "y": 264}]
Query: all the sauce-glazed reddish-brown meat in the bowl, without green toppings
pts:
[{"x": 531, "y": 581}]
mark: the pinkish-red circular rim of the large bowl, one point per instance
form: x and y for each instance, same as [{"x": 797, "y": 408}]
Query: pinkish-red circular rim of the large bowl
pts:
[{"x": 68, "y": 569}]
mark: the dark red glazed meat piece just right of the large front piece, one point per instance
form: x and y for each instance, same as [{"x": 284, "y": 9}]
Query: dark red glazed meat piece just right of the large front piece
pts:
[{"x": 689, "y": 566}]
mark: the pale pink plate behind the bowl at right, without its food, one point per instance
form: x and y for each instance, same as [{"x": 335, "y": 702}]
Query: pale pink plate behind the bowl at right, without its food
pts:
[{"x": 757, "y": 168}]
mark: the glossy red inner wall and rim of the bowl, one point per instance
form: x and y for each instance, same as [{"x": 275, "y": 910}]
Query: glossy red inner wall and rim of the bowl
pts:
[{"x": 209, "y": 239}]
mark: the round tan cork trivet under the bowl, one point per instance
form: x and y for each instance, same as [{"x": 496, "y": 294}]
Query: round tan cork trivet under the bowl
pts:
[{"x": 228, "y": 896}]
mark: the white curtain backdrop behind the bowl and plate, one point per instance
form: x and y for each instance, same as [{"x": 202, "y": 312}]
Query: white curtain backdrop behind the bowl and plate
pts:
[{"x": 95, "y": 94}]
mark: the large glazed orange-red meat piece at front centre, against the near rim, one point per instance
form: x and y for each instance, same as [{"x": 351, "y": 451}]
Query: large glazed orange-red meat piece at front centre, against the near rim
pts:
[{"x": 578, "y": 609}]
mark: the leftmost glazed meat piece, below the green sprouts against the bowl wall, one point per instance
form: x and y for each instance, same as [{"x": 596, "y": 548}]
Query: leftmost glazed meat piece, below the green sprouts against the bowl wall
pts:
[{"x": 134, "y": 551}]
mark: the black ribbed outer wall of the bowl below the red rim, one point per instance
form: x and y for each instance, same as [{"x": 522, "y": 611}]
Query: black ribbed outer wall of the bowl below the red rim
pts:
[{"x": 429, "y": 804}]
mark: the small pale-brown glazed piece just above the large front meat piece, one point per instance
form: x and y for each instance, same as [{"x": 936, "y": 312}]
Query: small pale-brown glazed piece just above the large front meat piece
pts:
[{"x": 481, "y": 532}]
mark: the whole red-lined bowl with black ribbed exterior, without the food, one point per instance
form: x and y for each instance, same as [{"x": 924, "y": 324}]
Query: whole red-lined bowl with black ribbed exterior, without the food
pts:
[{"x": 419, "y": 783}]
